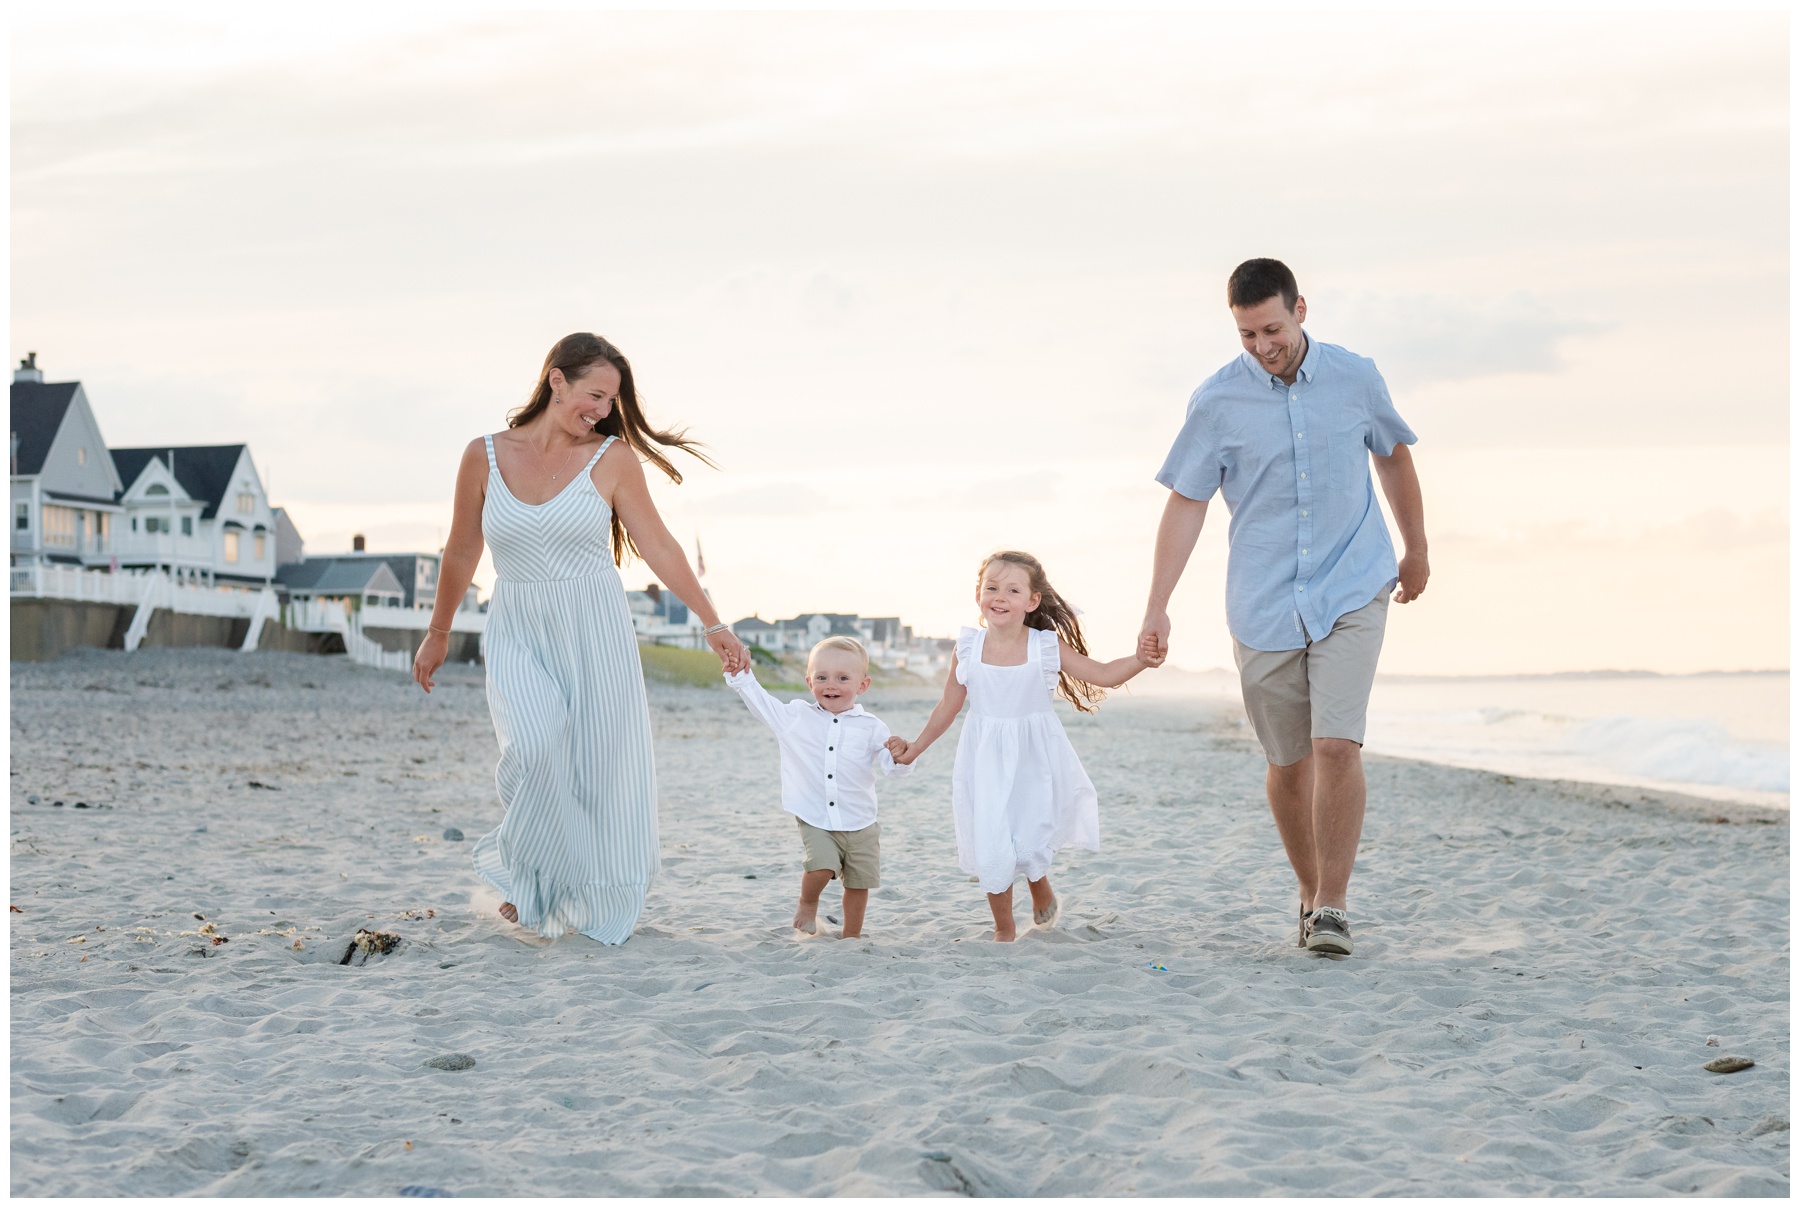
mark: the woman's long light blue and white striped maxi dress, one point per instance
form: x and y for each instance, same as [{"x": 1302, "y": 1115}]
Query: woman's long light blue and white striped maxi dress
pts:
[{"x": 579, "y": 843}]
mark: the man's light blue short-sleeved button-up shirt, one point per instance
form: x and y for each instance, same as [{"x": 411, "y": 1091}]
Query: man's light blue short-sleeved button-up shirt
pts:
[{"x": 1308, "y": 539}]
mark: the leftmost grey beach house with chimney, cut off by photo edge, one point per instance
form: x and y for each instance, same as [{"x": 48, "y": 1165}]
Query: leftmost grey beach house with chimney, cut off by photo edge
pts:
[{"x": 64, "y": 485}]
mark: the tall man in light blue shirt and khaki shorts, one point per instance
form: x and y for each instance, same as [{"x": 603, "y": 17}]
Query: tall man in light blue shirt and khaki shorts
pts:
[{"x": 1286, "y": 431}]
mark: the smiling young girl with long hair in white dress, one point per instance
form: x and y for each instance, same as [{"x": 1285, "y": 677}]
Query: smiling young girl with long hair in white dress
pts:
[{"x": 1020, "y": 791}]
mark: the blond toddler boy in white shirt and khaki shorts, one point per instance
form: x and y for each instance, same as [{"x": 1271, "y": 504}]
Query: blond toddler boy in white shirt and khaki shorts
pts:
[{"x": 831, "y": 750}]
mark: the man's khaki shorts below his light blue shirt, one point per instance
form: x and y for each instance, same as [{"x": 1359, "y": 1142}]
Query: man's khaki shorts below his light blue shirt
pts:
[{"x": 1318, "y": 692}]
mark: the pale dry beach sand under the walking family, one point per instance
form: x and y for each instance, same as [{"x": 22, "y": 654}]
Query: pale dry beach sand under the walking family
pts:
[{"x": 1536, "y": 978}]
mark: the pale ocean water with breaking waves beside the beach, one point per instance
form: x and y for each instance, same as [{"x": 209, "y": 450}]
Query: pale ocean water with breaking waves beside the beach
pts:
[{"x": 1718, "y": 735}]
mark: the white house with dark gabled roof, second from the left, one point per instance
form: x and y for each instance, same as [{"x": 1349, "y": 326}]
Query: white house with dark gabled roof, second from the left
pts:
[{"x": 197, "y": 512}]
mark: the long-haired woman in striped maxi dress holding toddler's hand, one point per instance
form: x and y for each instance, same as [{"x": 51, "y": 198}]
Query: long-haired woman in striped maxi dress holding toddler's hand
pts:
[{"x": 561, "y": 498}]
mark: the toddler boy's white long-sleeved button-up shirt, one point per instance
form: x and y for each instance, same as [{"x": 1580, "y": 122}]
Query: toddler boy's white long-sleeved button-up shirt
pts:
[{"x": 827, "y": 759}]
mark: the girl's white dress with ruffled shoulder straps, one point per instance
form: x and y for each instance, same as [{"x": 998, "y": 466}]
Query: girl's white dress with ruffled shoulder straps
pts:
[{"x": 1020, "y": 793}]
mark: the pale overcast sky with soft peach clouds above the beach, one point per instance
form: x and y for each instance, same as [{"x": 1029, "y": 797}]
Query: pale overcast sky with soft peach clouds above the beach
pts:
[{"x": 933, "y": 284}]
